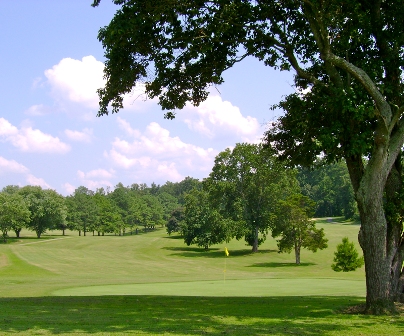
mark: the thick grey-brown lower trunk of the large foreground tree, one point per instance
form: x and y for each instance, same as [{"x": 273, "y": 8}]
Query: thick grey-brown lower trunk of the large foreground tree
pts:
[{"x": 381, "y": 243}]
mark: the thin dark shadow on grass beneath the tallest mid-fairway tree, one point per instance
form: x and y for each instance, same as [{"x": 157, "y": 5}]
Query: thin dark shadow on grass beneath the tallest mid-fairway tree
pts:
[{"x": 194, "y": 252}]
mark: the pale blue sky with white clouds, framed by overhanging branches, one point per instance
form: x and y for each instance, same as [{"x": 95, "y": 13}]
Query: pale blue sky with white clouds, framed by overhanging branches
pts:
[{"x": 51, "y": 64}]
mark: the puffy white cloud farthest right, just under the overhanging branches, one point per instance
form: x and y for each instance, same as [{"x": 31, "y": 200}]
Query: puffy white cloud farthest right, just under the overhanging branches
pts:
[{"x": 215, "y": 118}]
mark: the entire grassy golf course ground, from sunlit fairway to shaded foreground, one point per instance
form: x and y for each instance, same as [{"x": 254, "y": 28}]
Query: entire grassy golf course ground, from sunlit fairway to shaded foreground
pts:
[{"x": 153, "y": 284}]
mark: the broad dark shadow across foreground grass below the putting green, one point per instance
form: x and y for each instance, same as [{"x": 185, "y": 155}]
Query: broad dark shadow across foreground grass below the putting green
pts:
[{"x": 156, "y": 315}]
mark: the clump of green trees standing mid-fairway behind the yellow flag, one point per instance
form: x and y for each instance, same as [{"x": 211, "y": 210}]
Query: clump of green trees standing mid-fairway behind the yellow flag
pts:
[{"x": 247, "y": 194}]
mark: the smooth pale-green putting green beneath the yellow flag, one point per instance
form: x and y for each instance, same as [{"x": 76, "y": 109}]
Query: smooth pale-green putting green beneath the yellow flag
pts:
[{"x": 254, "y": 287}]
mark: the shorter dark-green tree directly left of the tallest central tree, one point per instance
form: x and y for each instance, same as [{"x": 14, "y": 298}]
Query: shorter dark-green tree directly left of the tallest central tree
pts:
[{"x": 203, "y": 225}]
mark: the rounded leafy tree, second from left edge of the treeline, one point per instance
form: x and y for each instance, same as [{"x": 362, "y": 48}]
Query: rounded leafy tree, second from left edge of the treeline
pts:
[{"x": 46, "y": 206}]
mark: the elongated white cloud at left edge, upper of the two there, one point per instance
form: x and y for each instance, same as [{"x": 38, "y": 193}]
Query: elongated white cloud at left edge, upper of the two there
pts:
[{"x": 28, "y": 139}]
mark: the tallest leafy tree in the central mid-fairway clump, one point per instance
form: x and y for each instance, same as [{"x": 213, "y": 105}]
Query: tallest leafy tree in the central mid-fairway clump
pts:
[{"x": 245, "y": 184}]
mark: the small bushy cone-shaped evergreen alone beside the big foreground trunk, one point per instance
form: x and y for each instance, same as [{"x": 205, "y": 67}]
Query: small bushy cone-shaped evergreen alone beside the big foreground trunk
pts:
[{"x": 346, "y": 257}]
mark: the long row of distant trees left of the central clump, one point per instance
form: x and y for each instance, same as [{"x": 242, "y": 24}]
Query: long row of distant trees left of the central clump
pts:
[{"x": 85, "y": 210}]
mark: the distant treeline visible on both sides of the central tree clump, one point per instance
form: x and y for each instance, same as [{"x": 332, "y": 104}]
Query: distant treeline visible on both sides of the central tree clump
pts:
[{"x": 139, "y": 206}]
